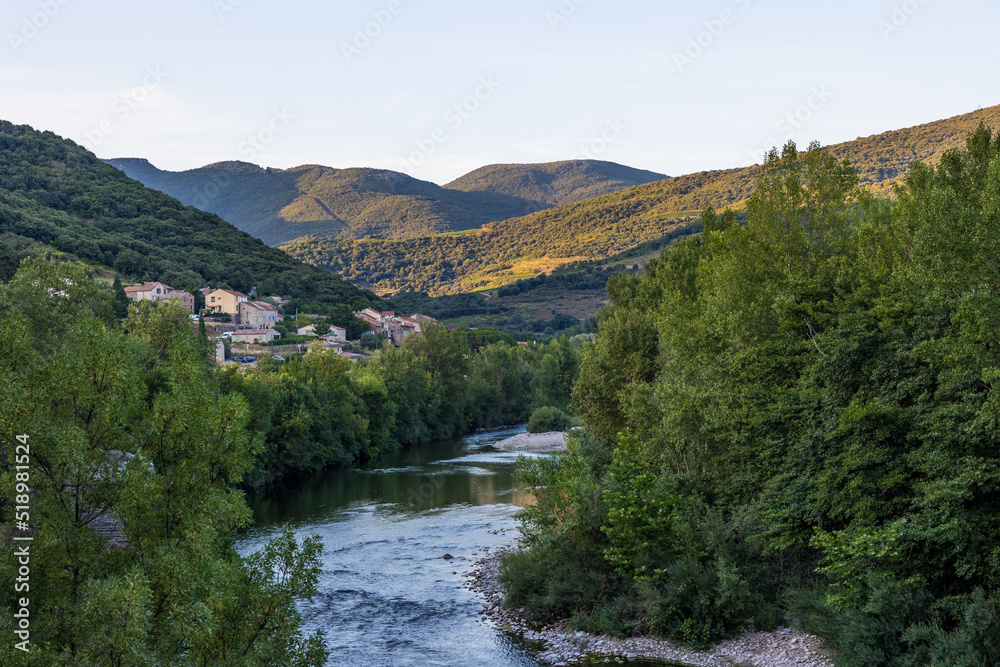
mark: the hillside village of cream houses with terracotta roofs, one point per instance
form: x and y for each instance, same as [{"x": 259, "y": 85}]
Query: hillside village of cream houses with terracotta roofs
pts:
[{"x": 247, "y": 326}]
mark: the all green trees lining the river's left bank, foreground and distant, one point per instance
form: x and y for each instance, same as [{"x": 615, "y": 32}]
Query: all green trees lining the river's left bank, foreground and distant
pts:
[{"x": 125, "y": 432}]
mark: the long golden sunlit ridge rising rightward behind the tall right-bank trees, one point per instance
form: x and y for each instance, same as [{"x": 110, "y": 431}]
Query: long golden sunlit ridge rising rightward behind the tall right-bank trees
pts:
[{"x": 613, "y": 224}]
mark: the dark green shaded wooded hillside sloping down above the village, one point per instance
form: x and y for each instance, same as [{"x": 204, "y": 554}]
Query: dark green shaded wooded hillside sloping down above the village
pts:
[{"x": 54, "y": 195}]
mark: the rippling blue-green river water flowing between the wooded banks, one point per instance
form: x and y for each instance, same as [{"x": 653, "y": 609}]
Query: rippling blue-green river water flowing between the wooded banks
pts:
[{"x": 386, "y": 595}]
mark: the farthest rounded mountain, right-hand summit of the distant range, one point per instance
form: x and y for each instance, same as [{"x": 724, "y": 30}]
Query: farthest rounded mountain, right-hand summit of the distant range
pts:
[{"x": 555, "y": 183}]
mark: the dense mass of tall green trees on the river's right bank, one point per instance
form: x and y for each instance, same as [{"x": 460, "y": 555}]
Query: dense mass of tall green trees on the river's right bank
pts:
[{"x": 797, "y": 415}]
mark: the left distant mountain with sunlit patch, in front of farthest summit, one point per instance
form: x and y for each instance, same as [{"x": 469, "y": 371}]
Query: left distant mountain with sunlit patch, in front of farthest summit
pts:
[{"x": 278, "y": 205}]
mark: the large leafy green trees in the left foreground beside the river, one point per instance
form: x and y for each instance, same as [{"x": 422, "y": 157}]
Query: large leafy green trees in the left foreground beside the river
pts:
[{"x": 132, "y": 427}]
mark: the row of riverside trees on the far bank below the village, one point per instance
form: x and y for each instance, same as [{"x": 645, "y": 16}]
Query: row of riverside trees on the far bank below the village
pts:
[{"x": 321, "y": 410}]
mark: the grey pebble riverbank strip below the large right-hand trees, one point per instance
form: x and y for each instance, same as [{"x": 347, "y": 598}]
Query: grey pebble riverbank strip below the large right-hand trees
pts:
[{"x": 782, "y": 647}]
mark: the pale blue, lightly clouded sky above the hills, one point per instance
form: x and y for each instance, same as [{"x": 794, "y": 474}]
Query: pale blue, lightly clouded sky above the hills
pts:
[{"x": 437, "y": 88}]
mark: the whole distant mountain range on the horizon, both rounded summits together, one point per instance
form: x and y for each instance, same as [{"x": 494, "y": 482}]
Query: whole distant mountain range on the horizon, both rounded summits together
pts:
[{"x": 279, "y": 205}]
